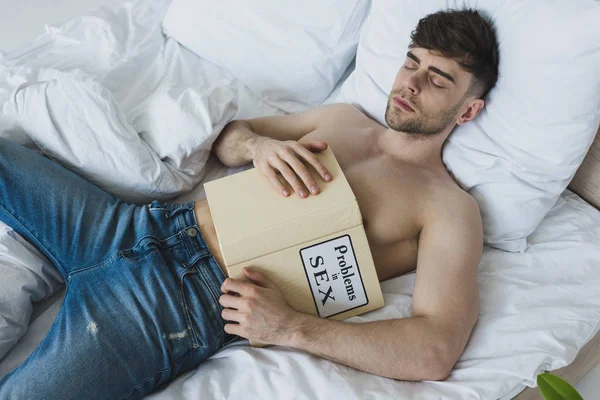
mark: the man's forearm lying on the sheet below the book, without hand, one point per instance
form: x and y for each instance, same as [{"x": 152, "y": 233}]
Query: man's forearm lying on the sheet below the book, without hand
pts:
[{"x": 407, "y": 349}]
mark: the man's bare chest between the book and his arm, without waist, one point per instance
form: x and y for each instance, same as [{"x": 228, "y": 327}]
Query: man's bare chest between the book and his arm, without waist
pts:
[{"x": 389, "y": 195}]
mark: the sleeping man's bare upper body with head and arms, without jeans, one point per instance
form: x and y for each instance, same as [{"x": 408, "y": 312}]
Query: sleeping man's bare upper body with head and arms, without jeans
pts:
[{"x": 410, "y": 206}]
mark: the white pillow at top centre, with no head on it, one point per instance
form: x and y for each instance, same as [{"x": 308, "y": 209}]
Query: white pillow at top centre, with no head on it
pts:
[{"x": 289, "y": 53}]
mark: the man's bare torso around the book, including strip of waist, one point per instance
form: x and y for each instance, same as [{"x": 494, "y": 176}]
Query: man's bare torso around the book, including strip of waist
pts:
[{"x": 392, "y": 194}]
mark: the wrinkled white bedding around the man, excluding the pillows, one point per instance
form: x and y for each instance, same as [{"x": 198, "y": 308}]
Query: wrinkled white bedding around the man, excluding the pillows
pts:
[{"x": 153, "y": 110}]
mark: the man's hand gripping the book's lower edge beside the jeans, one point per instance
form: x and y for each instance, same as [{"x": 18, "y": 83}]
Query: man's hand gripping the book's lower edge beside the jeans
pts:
[{"x": 259, "y": 309}]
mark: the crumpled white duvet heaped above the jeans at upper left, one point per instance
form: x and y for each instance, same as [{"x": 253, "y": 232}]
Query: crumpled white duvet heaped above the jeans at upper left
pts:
[{"x": 108, "y": 96}]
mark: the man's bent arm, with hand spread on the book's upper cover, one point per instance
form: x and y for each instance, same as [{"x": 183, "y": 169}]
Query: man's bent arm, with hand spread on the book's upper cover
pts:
[{"x": 271, "y": 144}]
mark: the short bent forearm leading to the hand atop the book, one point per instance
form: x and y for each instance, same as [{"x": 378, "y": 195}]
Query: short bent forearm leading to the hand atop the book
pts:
[{"x": 234, "y": 146}]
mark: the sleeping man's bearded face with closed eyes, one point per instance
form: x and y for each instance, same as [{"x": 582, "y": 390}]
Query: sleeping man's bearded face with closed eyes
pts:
[{"x": 433, "y": 87}]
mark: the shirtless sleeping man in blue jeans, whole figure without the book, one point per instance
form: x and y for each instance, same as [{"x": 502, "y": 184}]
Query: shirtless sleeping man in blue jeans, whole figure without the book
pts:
[{"x": 147, "y": 295}]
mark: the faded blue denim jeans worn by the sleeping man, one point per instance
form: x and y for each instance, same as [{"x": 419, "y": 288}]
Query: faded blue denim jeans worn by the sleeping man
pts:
[{"x": 141, "y": 304}]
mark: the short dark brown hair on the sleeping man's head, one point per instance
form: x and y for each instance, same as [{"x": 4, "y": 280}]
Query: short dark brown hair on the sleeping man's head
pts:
[{"x": 465, "y": 36}]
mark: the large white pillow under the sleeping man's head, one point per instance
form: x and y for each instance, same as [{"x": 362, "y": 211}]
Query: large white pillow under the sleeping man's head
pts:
[{"x": 520, "y": 153}]
